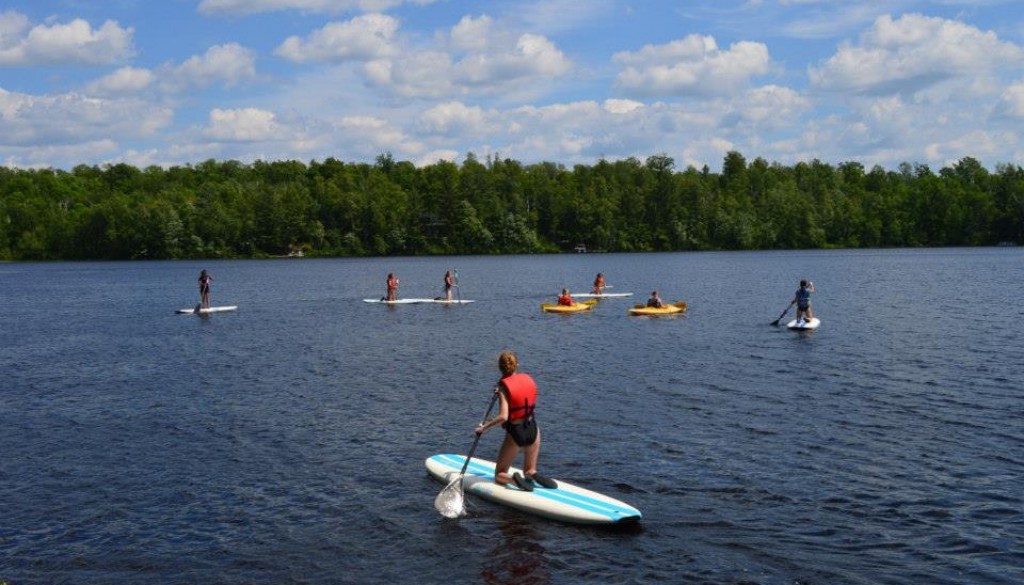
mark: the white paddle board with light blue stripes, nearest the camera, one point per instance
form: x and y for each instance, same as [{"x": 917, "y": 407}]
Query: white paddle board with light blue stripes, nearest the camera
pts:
[{"x": 568, "y": 504}]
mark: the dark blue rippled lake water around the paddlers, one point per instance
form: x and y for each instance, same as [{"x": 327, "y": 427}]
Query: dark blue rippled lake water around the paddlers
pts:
[{"x": 285, "y": 443}]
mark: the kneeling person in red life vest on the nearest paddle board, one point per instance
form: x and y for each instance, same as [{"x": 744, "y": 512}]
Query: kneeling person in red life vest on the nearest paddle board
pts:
[{"x": 518, "y": 394}]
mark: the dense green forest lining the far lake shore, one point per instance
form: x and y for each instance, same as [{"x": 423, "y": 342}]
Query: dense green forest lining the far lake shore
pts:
[{"x": 230, "y": 210}]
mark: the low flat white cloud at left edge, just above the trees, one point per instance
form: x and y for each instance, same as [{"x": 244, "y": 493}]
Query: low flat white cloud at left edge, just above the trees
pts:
[{"x": 29, "y": 120}]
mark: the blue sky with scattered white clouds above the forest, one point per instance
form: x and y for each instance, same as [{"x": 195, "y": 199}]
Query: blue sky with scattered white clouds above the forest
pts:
[{"x": 179, "y": 82}]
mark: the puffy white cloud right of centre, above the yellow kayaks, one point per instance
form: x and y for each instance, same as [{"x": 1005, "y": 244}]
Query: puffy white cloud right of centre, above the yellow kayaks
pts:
[{"x": 693, "y": 66}]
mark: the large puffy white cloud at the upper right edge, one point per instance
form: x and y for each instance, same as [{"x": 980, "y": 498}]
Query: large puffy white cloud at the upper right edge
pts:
[{"x": 914, "y": 54}]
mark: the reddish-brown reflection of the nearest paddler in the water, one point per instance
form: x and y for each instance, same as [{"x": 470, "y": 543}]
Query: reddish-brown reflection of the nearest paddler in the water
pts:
[{"x": 519, "y": 559}]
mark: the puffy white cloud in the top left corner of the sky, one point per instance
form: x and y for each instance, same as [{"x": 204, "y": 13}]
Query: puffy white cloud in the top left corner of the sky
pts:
[{"x": 76, "y": 43}]
